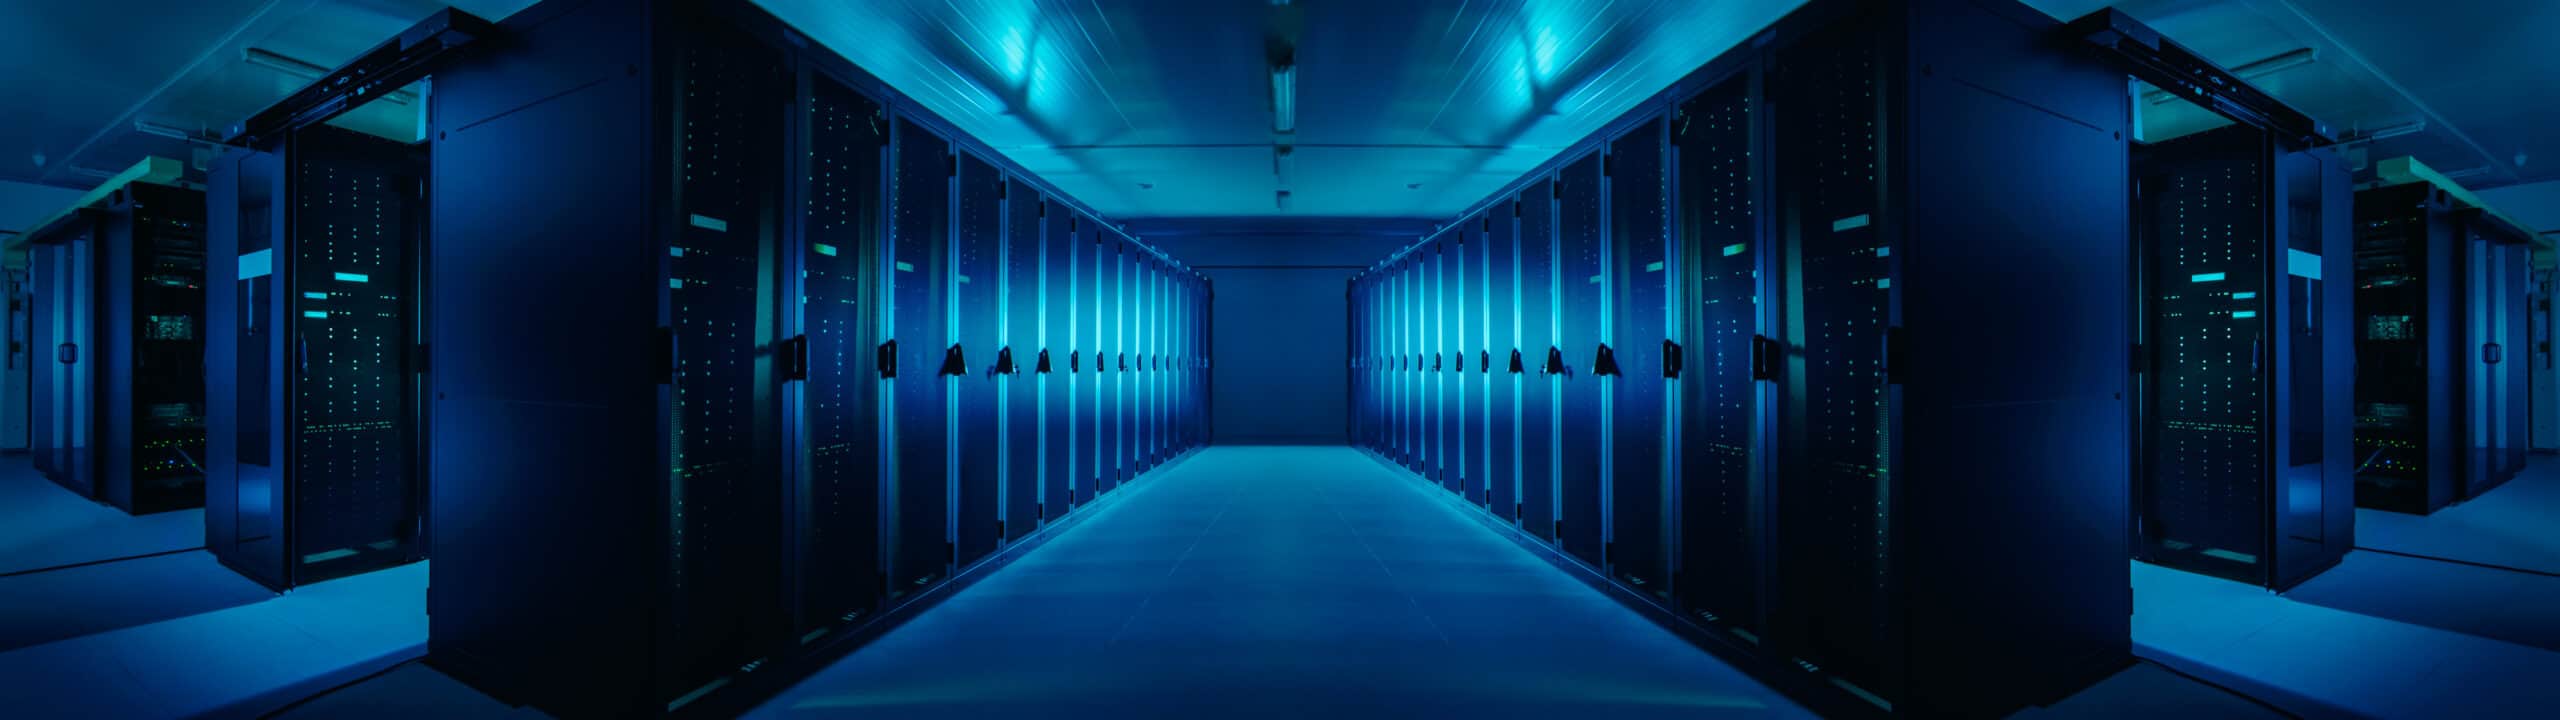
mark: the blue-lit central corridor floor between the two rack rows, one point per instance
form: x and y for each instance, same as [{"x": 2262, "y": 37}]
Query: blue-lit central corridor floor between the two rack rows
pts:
[{"x": 1279, "y": 583}]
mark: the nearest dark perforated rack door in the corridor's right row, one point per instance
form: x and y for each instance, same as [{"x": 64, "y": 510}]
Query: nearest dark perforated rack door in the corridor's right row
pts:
[{"x": 1834, "y": 480}]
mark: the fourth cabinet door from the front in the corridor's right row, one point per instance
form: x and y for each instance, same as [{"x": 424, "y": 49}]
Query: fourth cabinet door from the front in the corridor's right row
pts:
[{"x": 1586, "y": 368}]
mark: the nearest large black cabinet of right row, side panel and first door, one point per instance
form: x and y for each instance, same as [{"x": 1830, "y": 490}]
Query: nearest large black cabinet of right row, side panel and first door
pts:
[{"x": 1947, "y": 373}]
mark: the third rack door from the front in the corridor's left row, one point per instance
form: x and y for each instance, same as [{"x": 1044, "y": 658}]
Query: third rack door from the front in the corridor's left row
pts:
[{"x": 920, "y": 273}]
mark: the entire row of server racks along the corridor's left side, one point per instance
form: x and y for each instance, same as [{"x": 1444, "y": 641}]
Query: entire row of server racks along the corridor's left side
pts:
[{"x": 741, "y": 357}]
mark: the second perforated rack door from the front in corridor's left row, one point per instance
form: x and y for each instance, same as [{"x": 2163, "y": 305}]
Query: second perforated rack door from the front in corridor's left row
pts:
[{"x": 841, "y": 547}]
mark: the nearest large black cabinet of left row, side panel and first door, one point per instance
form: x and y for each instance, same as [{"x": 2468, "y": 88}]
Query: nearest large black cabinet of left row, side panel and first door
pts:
[{"x": 608, "y": 393}]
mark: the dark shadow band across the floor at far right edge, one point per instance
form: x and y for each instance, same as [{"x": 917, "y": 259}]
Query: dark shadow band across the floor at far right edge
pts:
[{"x": 2502, "y": 606}]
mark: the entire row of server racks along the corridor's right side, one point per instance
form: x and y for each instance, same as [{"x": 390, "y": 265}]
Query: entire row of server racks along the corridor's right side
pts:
[{"x": 1765, "y": 357}]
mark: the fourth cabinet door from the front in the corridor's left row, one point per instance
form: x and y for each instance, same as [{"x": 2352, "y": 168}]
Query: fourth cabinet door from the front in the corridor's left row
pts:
[{"x": 974, "y": 365}]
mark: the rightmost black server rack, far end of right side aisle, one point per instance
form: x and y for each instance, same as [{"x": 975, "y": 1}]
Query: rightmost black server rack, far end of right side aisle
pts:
[{"x": 2438, "y": 306}]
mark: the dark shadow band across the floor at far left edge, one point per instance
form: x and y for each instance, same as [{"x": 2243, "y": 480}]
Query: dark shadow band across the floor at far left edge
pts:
[{"x": 86, "y": 601}]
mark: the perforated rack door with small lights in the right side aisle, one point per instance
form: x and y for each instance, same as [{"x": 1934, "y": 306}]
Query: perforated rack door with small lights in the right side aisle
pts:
[{"x": 2205, "y": 442}]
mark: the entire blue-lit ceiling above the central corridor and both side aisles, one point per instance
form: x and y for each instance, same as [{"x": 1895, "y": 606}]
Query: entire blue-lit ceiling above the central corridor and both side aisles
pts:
[{"x": 1404, "y": 109}]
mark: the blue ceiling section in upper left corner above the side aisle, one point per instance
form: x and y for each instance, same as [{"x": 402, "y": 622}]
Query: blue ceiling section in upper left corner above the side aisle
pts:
[{"x": 129, "y": 78}]
